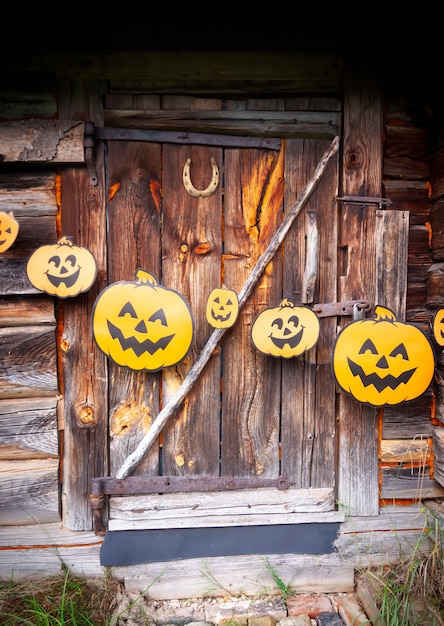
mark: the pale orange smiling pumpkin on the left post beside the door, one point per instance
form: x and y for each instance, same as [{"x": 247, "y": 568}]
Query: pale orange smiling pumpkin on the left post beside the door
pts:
[{"x": 62, "y": 269}]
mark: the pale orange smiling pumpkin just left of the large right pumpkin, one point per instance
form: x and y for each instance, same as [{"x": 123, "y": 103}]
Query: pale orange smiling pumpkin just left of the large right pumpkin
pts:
[{"x": 286, "y": 331}]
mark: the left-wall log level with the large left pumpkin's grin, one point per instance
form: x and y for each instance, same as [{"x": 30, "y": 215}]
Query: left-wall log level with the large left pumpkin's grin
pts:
[{"x": 28, "y": 364}]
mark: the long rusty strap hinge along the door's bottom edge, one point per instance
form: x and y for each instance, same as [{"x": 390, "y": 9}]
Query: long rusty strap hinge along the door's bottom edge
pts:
[{"x": 102, "y": 486}]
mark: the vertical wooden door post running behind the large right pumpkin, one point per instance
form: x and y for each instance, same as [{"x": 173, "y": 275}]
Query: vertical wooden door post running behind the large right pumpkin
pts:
[{"x": 362, "y": 167}]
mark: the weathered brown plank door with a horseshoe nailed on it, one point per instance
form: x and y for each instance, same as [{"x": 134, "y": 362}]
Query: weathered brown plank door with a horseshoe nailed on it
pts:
[{"x": 248, "y": 415}]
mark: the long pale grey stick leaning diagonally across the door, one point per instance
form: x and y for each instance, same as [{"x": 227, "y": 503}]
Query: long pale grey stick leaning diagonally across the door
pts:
[{"x": 188, "y": 382}]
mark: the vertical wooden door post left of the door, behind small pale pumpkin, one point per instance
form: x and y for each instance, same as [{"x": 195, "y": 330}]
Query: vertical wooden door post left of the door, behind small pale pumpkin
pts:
[{"x": 83, "y": 369}]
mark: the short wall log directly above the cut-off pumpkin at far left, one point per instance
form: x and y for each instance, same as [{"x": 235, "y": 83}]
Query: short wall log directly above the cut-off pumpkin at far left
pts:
[{"x": 28, "y": 193}]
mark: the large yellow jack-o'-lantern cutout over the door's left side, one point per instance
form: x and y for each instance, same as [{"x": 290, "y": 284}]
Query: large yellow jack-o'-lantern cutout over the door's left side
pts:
[{"x": 141, "y": 325}]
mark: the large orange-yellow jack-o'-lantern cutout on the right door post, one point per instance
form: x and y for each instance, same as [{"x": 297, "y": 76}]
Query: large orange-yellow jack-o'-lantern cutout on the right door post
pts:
[{"x": 382, "y": 361}]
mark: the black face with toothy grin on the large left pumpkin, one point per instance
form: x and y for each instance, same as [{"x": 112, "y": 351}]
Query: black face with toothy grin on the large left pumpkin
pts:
[{"x": 144, "y": 344}]
